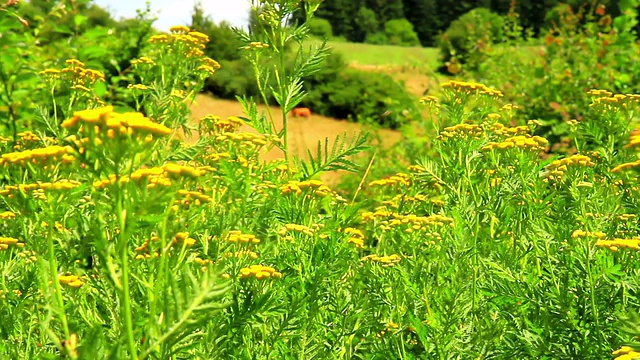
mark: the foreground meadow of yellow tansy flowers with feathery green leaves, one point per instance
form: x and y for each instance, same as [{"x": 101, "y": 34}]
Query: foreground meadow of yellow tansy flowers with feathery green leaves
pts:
[{"x": 130, "y": 231}]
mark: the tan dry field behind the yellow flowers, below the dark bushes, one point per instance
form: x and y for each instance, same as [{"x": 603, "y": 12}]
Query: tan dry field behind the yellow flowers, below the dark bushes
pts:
[{"x": 304, "y": 133}]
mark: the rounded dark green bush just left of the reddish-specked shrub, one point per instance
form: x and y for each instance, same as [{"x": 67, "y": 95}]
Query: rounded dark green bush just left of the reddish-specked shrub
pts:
[{"x": 468, "y": 38}]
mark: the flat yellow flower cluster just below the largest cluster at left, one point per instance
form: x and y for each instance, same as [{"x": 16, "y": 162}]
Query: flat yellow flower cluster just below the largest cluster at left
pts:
[{"x": 155, "y": 176}]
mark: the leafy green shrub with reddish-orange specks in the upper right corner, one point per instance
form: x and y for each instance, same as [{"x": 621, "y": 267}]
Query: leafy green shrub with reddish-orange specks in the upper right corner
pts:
[{"x": 583, "y": 51}]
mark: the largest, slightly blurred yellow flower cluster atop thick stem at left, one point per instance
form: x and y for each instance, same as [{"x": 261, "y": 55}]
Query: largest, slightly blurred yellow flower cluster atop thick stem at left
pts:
[{"x": 116, "y": 123}]
